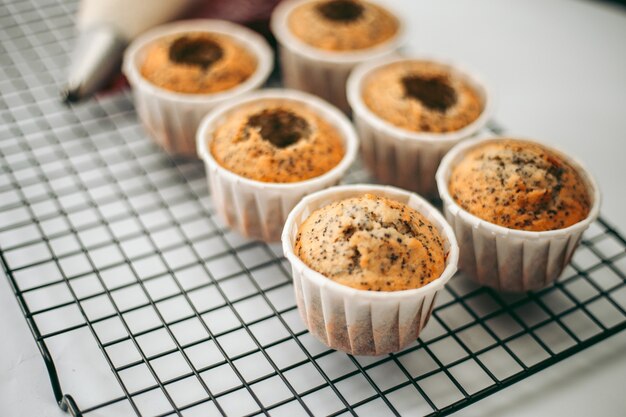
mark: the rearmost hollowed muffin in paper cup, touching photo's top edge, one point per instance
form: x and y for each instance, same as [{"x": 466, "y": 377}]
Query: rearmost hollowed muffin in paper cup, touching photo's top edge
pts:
[{"x": 322, "y": 40}]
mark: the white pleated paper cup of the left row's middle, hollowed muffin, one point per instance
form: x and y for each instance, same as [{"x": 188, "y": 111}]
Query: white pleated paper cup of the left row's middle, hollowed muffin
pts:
[{"x": 259, "y": 209}]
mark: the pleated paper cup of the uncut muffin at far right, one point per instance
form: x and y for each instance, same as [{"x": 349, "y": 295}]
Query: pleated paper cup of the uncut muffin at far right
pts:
[{"x": 508, "y": 259}]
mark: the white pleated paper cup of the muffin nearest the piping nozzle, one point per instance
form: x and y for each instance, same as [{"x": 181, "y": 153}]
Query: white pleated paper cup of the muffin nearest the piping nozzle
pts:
[{"x": 172, "y": 118}]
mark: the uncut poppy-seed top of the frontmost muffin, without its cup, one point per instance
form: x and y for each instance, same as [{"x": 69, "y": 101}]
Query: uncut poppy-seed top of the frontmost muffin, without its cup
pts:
[{"x": 371, "y": 243}]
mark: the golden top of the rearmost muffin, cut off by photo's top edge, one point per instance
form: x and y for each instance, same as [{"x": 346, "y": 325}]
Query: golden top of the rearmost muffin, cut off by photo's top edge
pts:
[{"x": 342, "y": 25}]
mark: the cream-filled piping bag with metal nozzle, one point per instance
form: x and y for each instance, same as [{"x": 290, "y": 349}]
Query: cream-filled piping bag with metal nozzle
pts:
[{"x": 105, "y": 28}]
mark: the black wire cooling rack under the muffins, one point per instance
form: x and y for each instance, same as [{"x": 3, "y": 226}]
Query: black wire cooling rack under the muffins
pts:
[{"x": 106, "y": 239}]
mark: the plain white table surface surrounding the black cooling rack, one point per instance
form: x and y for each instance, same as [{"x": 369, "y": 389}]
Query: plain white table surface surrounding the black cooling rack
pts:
[{"x": 558, "y": 68}]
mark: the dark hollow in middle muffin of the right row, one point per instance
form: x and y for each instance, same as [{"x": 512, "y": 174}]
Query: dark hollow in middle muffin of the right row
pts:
[{"x": 436, "y": 93}]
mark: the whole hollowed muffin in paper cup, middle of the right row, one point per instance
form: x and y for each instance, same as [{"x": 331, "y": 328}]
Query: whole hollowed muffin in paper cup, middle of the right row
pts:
[{"x": 409, "y": 112}]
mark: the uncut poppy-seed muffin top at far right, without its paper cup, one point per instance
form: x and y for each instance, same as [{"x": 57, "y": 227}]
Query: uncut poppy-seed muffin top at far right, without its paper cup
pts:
[{"x": 520, "y": 185}]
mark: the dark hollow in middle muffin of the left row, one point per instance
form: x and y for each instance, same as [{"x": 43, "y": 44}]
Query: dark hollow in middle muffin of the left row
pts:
[{"x": 280, "y": 127}]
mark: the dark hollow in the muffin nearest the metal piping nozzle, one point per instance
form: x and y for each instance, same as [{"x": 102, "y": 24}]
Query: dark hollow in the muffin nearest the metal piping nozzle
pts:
[{"x": 201, "y": 52}]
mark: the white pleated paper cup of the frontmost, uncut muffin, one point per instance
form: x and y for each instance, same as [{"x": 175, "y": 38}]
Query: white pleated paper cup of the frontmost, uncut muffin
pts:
[{"x": 357, "y": 321}]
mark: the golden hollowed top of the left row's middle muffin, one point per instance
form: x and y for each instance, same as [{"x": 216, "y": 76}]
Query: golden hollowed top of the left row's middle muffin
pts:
[{"x": 276, "y": 141}]
